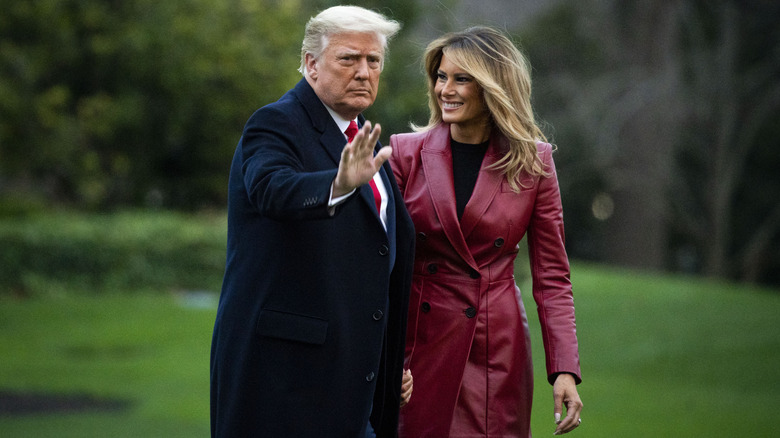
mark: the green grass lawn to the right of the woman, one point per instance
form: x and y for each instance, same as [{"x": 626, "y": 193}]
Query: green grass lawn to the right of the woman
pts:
[{"x": 669, "y": 357}]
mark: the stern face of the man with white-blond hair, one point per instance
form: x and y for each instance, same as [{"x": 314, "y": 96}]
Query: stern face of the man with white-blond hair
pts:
[{"x": 346, "y": 76}]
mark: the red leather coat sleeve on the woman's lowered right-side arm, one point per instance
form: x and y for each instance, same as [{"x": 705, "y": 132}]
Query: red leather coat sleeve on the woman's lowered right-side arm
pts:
[{"x": 552, "y": 289}]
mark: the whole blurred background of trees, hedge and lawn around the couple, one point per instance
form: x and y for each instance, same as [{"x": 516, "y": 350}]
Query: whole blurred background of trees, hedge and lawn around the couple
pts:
[{"x": 118, "y": 121}]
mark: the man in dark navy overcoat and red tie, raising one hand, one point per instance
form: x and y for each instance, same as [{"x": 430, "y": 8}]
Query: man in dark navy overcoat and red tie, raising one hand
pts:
[{"x": 308, "y": 339}]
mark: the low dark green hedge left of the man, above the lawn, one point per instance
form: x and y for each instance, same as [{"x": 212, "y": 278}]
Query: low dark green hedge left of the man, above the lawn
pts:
[{"x": 101, "y": 253}]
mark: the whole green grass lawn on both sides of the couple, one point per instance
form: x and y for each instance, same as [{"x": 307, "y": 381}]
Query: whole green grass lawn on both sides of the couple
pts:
[{"x": 661, "y": 357}]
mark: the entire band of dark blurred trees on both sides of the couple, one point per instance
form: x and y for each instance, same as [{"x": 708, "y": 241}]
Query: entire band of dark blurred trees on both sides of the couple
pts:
[{"x": 666, "y": 111}]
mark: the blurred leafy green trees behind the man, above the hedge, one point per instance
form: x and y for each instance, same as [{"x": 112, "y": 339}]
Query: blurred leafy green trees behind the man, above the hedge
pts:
[{"x": 141, "y": 102}]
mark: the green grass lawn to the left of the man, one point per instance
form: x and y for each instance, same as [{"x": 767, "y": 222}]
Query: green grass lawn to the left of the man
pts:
[{"x": 150, "y": 349}]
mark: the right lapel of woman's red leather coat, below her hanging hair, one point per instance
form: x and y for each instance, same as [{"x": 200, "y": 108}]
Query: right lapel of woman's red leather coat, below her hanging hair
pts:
[{"x": 488, "y": 184}]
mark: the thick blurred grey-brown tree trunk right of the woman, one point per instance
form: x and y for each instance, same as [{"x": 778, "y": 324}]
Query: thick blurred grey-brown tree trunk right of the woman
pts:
[{"x": 640, "y": 181}]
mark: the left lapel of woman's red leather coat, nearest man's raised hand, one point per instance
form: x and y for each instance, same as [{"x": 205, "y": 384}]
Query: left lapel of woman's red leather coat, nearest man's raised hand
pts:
[{"x": 436, "y": 159}]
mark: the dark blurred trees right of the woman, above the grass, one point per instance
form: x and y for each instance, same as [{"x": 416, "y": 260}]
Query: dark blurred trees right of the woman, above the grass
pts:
[{"x": 663, "y": 110}]
